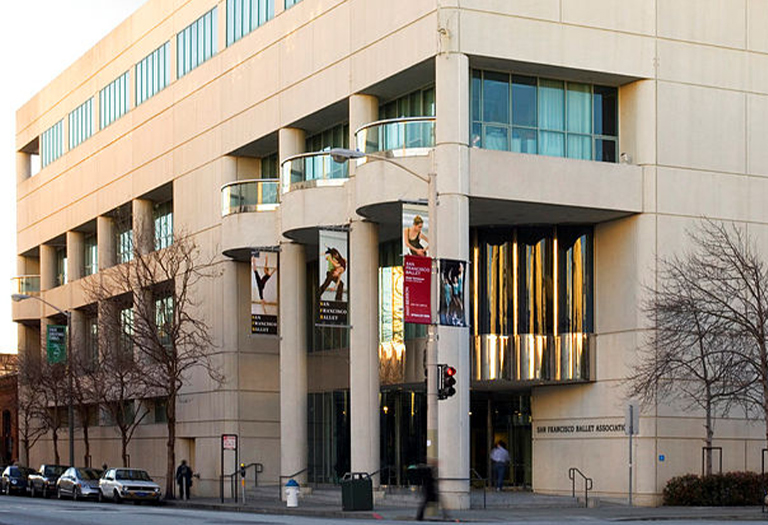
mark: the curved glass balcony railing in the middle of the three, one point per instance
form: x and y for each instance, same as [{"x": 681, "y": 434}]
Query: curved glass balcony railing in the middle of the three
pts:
[{"x": 313, "y": 169}]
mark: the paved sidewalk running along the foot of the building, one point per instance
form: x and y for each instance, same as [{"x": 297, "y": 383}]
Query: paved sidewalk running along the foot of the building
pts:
[{"x": 525, "y": 512}]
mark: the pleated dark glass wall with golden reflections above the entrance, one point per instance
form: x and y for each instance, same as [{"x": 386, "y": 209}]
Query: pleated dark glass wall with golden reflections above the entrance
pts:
[{"x": 532, "y": 303}]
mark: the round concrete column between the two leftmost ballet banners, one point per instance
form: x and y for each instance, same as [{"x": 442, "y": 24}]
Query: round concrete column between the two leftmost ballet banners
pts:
[{"x": 293, "y": 360}]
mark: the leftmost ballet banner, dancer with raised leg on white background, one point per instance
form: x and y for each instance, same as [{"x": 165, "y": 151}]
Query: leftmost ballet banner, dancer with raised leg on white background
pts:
[{"x": 264, "y": 302}]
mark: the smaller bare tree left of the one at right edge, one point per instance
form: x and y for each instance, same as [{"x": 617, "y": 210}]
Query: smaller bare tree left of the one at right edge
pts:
[{"x": 688, "y": 356}]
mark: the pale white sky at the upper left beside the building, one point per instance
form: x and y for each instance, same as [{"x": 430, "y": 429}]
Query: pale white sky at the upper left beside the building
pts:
[{"x": 41, "y": 39}]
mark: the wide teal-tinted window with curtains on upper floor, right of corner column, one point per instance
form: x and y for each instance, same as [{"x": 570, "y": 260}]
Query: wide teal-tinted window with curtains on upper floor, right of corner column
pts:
[{"x": 544, "y": 116}]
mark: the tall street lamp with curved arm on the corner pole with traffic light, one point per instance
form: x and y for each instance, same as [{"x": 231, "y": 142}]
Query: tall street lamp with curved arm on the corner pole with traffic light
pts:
[{"x": 342, "y": 155}]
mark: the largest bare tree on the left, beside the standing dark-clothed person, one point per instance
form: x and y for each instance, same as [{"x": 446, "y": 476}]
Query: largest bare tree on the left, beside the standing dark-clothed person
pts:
[{"x": 169, "y": 332}]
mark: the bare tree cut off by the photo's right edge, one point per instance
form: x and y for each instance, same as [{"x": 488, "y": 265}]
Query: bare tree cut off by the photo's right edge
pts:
[{"x": 723, "y": 280}]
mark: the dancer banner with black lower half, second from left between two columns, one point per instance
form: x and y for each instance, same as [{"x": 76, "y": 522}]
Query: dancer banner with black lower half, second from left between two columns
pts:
[{"x": 333, "y": 294}]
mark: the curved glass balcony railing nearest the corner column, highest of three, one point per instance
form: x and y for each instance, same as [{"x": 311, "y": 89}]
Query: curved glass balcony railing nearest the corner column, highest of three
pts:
[{"x": 401, "y": 137}]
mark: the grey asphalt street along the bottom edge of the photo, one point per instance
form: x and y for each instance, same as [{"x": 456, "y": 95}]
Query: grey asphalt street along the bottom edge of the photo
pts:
[{"x": 27, "y": 511}]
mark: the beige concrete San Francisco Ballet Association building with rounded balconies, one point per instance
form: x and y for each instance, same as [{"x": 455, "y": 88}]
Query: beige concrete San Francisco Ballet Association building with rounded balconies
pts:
[{"x": 572, "y": 142}]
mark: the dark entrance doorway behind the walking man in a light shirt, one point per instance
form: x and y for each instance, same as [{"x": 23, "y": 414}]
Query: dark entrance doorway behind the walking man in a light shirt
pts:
[{"x": 502, "y": 416}]
